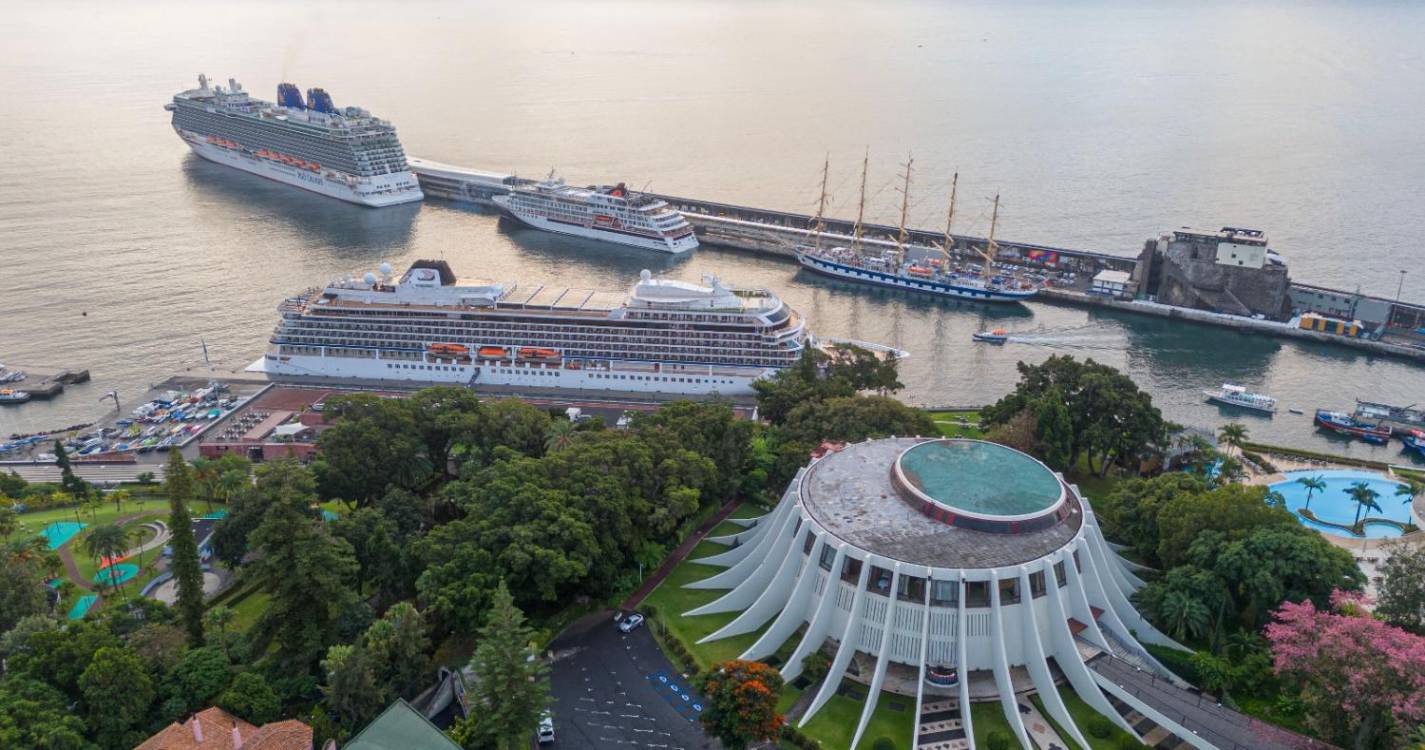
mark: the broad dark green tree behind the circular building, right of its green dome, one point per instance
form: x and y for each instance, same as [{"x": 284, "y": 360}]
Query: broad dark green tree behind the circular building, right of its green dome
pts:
[{"x": 1109, "y": 418}]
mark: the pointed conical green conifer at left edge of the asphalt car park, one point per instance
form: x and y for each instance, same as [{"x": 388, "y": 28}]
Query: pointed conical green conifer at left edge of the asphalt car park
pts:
[{"x": 509, "y": 691}]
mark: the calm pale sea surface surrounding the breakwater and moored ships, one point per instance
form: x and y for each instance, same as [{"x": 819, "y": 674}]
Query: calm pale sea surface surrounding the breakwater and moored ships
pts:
[{"x": 1101, "y": 123}]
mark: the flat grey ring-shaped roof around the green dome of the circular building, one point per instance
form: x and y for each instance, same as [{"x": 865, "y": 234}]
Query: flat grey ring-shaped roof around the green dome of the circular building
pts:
[{"x": 851, "y": 495}]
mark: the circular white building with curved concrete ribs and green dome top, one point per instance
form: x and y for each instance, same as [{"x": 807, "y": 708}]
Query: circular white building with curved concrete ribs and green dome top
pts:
[{"x": 951, "y": 571}]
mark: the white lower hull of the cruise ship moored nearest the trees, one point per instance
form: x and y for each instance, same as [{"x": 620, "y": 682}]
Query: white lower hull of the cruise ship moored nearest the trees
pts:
[{"x": 616, "y": 377}]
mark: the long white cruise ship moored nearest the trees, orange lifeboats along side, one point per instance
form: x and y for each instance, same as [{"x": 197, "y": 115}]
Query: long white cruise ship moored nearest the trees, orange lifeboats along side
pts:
[{"x": 662, "y": 336}]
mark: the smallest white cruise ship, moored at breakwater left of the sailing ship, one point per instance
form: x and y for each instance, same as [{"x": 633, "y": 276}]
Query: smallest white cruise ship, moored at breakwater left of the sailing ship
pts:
[{"x": 613, "y": 215}]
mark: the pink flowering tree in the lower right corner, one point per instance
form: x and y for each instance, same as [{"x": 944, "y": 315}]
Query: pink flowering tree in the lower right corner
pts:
[{"x": 1363, "y": 682}]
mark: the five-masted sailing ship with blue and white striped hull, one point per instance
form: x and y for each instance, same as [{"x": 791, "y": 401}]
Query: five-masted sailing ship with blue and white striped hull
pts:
[{"x": 933, "y": 273}]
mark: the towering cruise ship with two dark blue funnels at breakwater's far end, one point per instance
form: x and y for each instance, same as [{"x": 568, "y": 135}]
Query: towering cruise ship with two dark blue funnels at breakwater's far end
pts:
[{"x": 344, "y": 153}]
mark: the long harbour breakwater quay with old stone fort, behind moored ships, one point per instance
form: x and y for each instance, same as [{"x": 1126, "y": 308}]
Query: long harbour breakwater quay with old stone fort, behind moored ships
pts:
[{"x": 1226, "y": 277}]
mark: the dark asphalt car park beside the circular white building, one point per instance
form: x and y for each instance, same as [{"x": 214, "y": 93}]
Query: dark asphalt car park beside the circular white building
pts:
[{"x": 608, "y": 694}]
